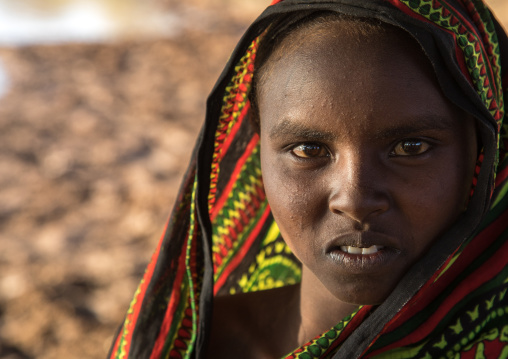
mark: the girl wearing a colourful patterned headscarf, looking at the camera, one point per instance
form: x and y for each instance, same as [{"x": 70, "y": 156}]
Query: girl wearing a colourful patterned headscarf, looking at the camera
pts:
[{"x": 348, "y": 193}]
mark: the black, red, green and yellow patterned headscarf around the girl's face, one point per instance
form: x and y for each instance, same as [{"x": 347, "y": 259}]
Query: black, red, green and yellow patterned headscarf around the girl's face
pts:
[{"x": 222, "y": 239}]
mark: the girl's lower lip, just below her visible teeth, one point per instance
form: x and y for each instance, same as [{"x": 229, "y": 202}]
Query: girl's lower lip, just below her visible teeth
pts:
[{"x": 364, "y": 263}]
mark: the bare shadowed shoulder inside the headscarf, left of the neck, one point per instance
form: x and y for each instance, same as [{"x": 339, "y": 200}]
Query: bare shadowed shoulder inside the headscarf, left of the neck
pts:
[{"x": 248, "y": 325}]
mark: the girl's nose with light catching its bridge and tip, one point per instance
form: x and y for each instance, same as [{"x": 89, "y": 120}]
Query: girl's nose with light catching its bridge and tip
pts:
[{"x": 359, "y": 187}]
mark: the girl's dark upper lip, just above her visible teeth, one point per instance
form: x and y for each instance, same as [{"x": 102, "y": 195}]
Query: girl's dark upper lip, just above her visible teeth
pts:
[{"x": 361, "y": 239}]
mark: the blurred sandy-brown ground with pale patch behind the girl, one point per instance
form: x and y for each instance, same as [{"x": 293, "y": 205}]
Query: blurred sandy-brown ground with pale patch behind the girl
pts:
[{"x": 100, "y": 104}]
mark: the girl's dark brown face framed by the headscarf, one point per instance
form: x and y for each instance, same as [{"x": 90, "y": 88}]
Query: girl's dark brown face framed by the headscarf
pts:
[{"x": 365, "y": 162}]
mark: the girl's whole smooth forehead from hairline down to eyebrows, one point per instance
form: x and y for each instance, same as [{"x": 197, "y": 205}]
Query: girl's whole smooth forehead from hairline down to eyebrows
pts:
[{"x": 335, "y": 71}]
